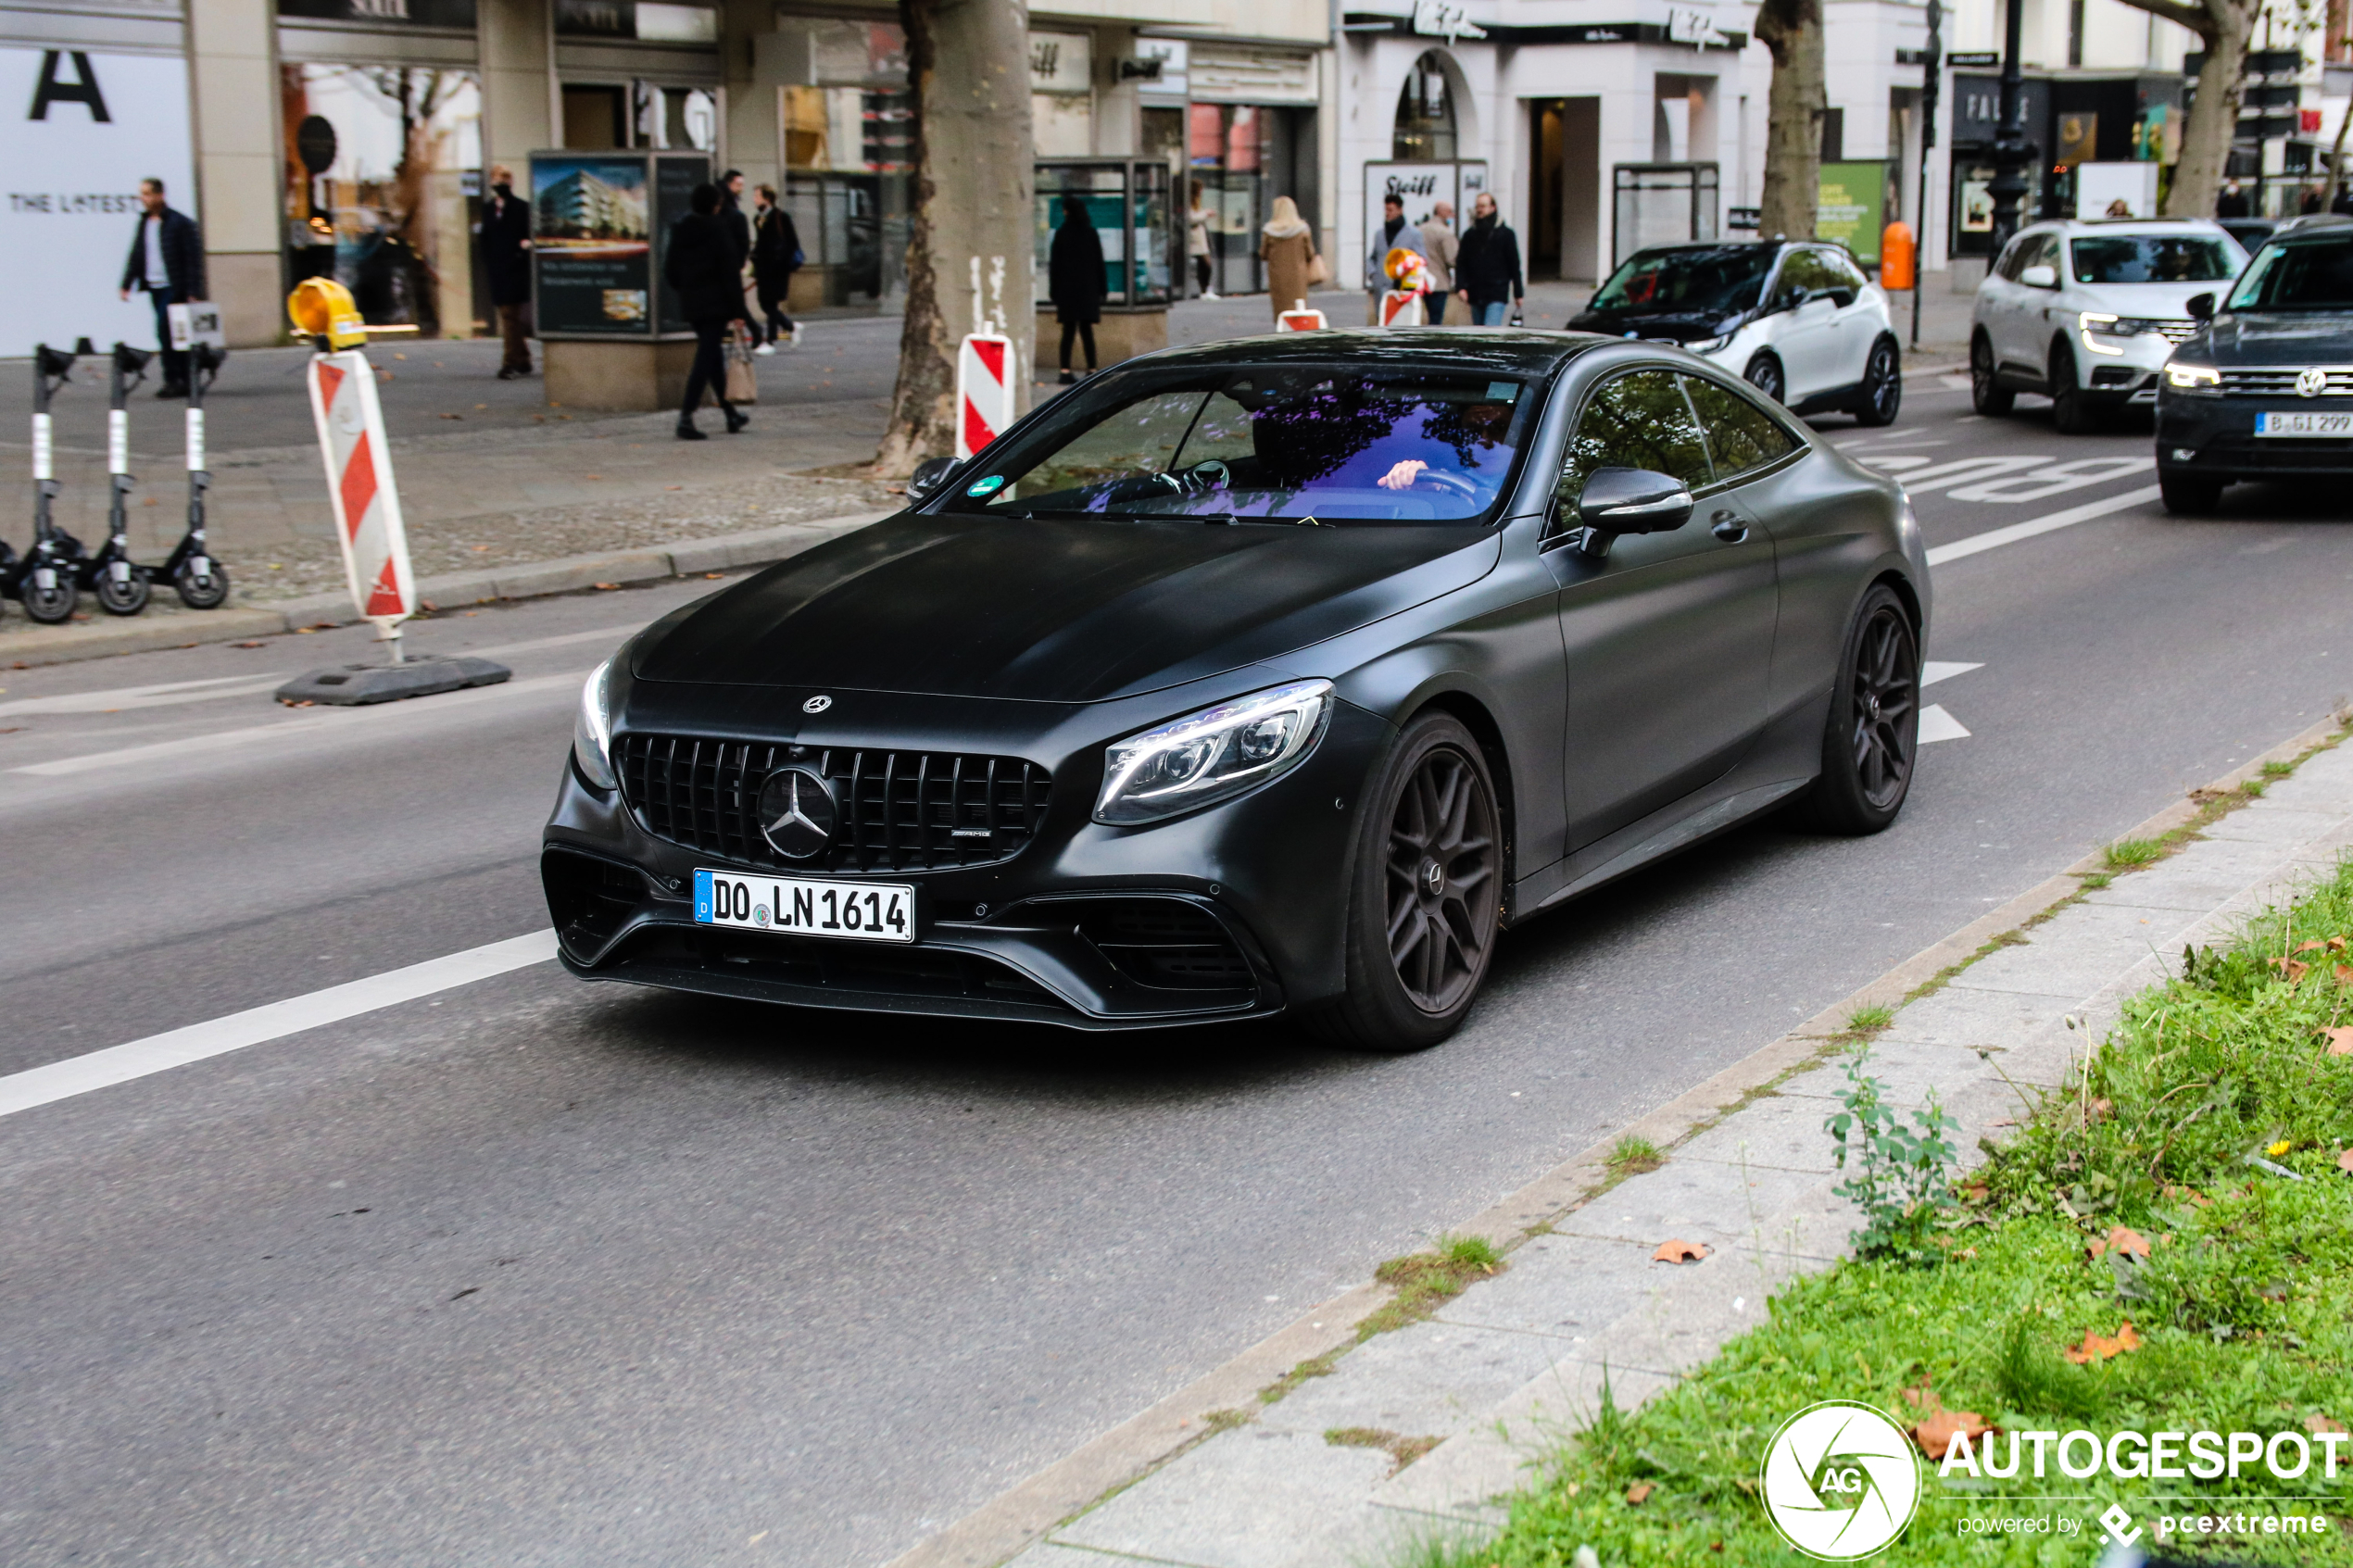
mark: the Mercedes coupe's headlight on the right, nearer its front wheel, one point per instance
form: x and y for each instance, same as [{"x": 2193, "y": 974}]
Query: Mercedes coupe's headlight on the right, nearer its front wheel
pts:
[{"x": 1213, "y": 756}]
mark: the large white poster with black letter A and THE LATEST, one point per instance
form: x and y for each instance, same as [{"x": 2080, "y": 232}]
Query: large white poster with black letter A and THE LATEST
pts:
[{"x": 84, "y": 130}]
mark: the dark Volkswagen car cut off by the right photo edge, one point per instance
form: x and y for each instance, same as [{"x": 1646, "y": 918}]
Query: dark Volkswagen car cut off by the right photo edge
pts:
[{"x": 2265, "y": 391}]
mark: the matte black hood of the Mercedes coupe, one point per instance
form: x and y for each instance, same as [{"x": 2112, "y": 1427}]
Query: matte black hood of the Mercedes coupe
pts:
[{"x": 1053, "y": 610}]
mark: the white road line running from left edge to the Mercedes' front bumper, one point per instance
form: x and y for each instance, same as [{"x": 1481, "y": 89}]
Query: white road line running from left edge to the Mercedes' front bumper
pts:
[{"x": 262, "y": 1024}]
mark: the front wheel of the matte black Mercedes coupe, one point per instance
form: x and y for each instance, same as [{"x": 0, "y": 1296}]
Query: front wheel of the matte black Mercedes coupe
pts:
[{"x": 1427, "y": 894}]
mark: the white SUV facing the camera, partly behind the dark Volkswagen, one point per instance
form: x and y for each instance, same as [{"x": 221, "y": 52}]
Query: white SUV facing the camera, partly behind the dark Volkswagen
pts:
[{"x": 2086, "y": 314}]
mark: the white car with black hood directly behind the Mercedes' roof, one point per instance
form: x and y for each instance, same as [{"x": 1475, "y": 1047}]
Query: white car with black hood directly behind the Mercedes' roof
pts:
[{"x": 1799, "y": 321}]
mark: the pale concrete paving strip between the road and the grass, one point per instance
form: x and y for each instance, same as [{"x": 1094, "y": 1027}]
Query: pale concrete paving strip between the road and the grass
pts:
[{"x": 1514, "y": 1367}]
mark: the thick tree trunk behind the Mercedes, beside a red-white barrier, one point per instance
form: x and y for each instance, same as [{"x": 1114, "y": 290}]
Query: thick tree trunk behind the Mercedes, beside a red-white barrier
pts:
[{"x": 971, "y": 243}]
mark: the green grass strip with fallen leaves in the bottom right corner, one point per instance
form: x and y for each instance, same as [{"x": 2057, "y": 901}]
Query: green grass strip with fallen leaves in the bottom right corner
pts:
[{"x": 2197, "y": 1184}]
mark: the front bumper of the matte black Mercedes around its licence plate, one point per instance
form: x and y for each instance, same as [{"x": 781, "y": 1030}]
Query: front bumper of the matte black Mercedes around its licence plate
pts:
[{"x": 1218, "y": 916}]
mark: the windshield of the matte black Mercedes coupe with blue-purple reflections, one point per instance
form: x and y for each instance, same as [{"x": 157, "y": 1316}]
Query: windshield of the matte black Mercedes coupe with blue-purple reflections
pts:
[{"x": 1295, "y": 443}]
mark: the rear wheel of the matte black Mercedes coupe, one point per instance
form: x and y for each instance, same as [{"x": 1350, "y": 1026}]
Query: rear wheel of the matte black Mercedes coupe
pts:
[{"x": 1874, "y": 732}]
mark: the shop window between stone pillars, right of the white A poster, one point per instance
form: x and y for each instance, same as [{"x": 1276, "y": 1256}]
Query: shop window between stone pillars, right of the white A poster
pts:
[{"x": 392, "y": 208}]
